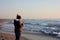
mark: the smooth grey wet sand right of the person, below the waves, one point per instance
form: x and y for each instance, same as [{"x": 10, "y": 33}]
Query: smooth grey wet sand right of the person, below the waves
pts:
[{"x": 40, "y": 36}]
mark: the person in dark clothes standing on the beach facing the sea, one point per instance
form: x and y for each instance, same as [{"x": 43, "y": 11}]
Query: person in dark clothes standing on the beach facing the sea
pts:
[{"x": 18, "y": 27}]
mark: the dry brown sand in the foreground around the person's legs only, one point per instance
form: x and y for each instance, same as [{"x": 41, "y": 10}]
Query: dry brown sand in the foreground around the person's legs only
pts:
[{"x": 6, "y": 36}]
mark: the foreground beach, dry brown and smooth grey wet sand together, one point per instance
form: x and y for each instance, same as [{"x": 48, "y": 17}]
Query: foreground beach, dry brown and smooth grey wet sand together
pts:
[{"x": 26, "y": 36}]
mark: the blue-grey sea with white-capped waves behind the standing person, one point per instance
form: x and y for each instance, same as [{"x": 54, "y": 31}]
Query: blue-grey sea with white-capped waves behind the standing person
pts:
[{"x": 32, "y": 25}]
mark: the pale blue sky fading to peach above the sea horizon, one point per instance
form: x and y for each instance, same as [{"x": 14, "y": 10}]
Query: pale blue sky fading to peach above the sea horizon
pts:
[{"x": 30, "y": 9}]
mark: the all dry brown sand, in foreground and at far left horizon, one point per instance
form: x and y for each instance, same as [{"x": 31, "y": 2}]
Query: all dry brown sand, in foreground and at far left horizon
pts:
[{"x": 7, "y": 36}]
